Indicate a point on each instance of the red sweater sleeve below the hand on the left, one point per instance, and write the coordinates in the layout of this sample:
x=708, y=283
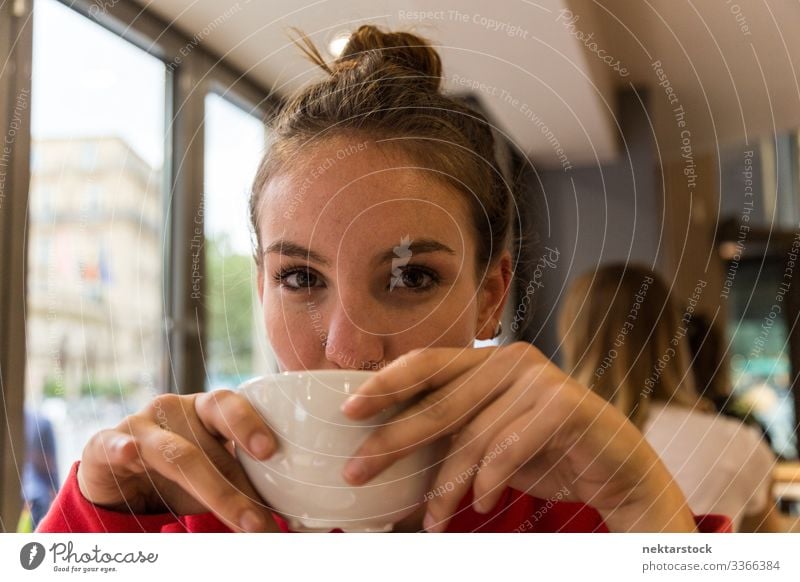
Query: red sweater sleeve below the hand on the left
x=72, y=512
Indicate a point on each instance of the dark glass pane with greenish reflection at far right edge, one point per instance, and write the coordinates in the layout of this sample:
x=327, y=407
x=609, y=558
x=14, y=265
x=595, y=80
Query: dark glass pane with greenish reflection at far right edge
x=760, y=367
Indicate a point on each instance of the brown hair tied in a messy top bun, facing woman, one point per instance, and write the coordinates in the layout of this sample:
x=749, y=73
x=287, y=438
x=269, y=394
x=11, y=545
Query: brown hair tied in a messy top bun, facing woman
x=386, y=86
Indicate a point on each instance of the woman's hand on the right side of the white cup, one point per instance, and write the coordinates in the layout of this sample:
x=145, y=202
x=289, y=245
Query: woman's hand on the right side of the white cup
x=517, y=421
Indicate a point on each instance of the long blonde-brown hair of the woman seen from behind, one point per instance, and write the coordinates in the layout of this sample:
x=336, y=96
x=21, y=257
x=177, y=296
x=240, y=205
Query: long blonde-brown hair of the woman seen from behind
x=624, y=339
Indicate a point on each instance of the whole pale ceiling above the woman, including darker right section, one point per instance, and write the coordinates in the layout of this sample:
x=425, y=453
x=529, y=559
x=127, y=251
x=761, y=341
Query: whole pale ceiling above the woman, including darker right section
x=540, y=71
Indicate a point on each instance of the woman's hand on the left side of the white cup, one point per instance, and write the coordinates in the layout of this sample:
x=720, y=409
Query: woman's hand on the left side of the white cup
x=176, y=455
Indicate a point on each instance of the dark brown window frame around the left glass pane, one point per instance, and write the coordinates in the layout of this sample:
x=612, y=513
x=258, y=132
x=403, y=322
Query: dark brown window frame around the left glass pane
x=189, y=78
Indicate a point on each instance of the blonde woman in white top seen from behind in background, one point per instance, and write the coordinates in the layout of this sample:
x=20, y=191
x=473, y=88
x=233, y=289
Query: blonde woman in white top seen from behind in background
x=623, y=338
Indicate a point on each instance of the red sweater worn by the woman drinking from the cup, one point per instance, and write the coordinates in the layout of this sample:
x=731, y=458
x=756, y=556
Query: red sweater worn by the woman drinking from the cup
x=515, y=512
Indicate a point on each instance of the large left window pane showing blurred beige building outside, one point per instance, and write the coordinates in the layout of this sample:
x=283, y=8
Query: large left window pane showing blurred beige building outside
x=94, y=319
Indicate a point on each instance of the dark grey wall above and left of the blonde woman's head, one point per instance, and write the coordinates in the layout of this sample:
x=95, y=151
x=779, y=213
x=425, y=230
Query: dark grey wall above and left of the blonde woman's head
x=588, y=216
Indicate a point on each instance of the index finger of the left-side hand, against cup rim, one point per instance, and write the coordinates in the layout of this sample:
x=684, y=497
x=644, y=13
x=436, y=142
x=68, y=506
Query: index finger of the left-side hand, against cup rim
x=229, y=415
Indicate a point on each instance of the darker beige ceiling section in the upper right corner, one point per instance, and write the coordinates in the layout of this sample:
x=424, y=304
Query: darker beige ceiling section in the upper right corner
x=734, y=64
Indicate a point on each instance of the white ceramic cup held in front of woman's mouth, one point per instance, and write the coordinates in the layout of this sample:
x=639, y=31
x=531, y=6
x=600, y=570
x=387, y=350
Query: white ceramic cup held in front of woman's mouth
x=303, y=480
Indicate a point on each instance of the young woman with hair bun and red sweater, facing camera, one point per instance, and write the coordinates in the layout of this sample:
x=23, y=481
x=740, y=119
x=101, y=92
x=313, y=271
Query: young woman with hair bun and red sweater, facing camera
x=382, y=225
